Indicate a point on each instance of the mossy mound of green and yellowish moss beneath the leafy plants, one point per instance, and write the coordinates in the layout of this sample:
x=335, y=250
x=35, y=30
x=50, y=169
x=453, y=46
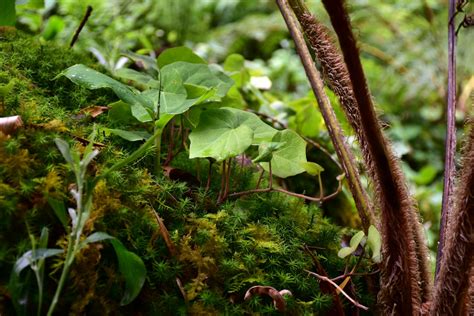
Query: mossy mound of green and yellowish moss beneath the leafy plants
x=220, y=250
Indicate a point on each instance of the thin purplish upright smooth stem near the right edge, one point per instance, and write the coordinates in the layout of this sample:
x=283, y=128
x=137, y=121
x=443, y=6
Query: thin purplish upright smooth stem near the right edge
x=450, y=145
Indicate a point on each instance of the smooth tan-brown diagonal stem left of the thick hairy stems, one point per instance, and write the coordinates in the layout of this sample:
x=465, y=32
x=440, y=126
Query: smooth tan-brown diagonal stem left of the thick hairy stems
x=363, y=205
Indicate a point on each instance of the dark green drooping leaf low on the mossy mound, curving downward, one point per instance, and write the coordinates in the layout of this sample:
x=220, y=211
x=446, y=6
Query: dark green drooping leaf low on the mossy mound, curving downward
x=133, y=270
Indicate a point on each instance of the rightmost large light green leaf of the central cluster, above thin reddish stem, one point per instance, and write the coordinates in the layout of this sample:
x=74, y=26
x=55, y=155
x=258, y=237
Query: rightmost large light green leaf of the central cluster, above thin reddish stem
x=287, y=161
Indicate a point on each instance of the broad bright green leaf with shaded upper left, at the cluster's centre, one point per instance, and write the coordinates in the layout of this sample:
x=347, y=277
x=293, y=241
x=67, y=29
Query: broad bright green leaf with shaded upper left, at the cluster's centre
x=220, y=134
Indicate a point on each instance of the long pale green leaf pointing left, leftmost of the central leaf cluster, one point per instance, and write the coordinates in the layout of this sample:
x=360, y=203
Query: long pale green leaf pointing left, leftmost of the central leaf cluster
x=92, y=79
